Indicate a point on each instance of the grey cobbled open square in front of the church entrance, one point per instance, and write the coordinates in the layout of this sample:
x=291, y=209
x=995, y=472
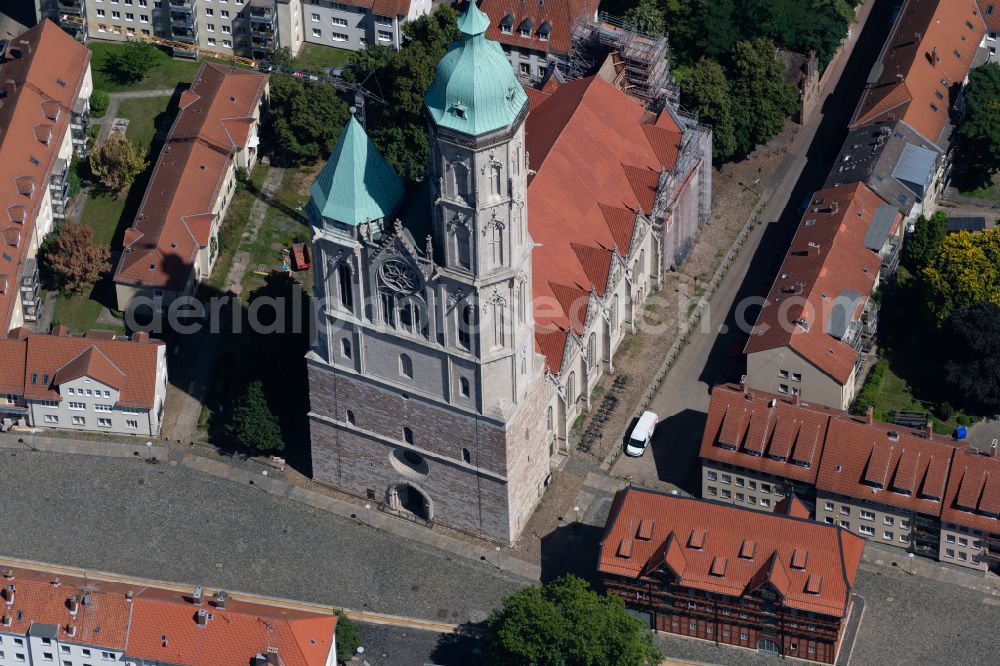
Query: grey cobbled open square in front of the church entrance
x=171, y=523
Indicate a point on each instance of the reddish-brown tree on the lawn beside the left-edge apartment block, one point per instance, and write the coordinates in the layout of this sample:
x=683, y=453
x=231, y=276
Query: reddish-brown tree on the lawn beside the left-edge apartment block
x=73, y=260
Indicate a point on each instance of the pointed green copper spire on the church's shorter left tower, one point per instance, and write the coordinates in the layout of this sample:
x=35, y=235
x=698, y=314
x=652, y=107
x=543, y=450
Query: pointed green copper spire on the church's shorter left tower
x=356, y=184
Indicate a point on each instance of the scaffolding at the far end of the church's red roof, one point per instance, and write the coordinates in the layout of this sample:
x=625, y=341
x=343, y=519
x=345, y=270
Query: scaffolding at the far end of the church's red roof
x=643, y=57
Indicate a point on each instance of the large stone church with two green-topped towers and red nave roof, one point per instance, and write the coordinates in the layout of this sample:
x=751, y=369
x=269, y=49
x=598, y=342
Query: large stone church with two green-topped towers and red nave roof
x=462, y=324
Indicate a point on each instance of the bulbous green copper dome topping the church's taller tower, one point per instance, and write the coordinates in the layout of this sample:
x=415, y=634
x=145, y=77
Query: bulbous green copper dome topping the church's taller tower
x=475, y=90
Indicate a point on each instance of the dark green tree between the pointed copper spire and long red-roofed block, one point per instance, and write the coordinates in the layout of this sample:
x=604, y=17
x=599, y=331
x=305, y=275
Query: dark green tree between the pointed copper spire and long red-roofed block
x=304, y=119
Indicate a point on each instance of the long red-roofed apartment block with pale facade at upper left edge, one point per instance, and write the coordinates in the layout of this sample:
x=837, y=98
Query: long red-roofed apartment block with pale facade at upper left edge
x=45, y=87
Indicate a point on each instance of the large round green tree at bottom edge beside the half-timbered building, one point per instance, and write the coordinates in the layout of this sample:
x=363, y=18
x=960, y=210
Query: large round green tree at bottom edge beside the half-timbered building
x=565, y=623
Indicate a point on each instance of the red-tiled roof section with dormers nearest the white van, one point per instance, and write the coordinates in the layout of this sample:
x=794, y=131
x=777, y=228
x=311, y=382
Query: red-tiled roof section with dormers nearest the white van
x=785, y=439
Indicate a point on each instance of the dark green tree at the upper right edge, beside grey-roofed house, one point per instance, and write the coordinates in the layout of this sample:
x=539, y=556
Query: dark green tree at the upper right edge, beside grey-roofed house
x=980, y=131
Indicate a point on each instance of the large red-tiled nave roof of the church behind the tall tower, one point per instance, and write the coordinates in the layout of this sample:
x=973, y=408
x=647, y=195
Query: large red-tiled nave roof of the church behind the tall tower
x=578, y=216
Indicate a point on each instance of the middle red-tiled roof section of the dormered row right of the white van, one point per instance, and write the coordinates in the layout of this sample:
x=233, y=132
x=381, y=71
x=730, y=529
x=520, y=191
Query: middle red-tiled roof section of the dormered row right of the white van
x=886, y=463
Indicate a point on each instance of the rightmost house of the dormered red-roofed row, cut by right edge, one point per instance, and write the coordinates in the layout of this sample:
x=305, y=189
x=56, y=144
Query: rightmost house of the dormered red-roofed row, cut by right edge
x=970, y=516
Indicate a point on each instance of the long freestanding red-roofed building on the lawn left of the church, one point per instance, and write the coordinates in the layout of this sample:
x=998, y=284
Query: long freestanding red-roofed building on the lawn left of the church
x=173, y=242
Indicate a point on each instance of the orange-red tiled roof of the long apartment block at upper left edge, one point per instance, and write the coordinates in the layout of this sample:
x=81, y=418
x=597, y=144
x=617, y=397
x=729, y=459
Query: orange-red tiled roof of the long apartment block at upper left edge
x=41, y=88
